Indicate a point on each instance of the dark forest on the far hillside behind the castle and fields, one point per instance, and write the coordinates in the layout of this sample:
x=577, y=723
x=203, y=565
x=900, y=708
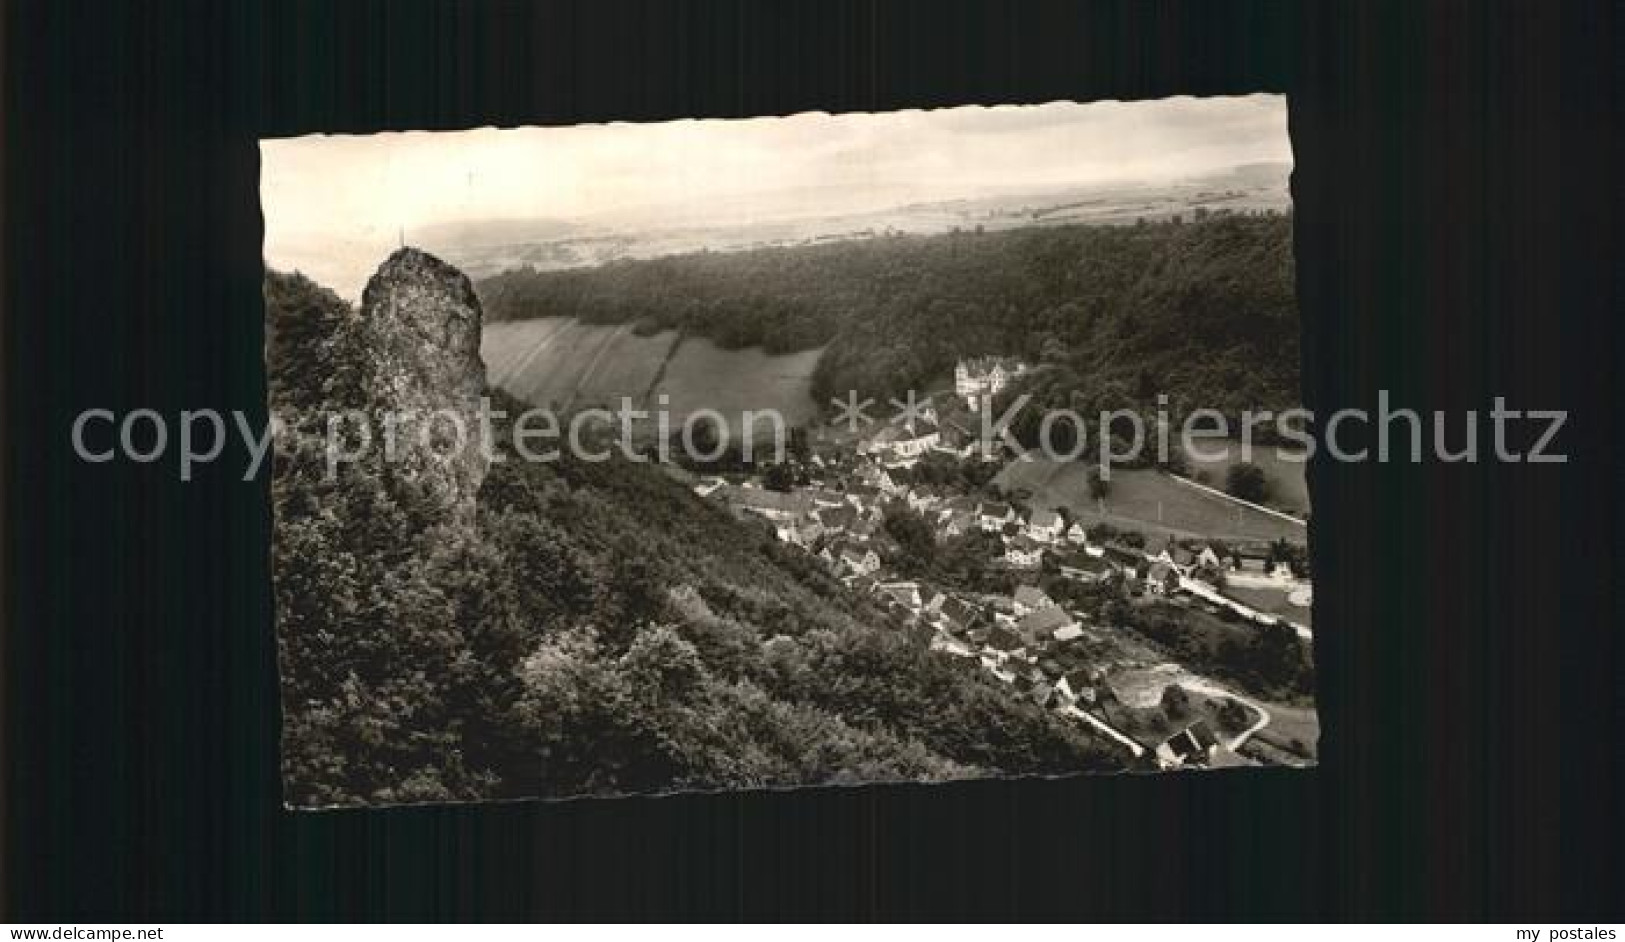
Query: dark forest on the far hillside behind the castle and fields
x=1202, y=311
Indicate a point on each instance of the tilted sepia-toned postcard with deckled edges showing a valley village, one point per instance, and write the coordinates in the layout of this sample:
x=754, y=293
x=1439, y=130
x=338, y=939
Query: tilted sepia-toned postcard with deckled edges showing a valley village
x=787, y=452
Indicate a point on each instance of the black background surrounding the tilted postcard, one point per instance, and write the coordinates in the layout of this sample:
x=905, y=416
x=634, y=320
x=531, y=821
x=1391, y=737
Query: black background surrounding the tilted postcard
x=1457, y=240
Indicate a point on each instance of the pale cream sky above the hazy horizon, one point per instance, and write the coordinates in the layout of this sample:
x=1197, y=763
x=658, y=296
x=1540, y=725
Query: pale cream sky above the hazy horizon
x=357, y=194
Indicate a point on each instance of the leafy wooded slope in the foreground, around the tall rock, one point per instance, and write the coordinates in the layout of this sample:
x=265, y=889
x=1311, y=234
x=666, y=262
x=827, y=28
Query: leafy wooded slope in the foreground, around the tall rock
x=583, y=629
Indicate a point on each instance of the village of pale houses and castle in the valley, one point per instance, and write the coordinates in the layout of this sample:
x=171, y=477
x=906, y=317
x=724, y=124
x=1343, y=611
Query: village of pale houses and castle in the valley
x=1055, y=644
